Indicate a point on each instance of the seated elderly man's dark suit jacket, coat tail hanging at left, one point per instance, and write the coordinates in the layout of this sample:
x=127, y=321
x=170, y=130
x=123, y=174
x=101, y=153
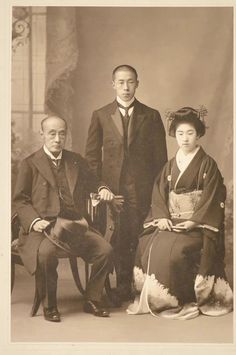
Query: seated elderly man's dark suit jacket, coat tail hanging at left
x=36, y=195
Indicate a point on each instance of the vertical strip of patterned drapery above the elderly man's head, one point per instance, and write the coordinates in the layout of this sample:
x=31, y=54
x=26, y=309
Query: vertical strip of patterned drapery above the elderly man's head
x=61, y=61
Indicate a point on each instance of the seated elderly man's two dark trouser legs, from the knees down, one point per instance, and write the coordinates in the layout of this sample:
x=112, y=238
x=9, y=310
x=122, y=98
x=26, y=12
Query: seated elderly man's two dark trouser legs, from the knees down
x=92, y=248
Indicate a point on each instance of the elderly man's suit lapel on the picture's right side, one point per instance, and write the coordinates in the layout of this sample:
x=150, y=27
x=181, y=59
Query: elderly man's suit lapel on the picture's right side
x=71, y=169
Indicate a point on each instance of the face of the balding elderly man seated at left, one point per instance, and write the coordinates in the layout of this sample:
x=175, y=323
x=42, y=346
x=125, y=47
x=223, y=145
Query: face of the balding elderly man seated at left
x=54, y=134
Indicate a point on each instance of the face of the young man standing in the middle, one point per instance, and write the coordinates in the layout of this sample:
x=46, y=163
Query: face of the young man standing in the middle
x=125, y=84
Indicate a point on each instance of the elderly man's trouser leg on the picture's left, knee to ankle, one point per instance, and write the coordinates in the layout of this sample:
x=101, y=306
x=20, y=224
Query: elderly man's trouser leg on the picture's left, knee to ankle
x=46, y=273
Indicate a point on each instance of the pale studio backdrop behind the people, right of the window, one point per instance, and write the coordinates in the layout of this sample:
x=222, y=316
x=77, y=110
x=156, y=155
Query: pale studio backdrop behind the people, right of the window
x=183, y=56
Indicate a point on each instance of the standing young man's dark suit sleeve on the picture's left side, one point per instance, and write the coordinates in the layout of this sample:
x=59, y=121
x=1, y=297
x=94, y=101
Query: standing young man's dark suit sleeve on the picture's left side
x=93, y=151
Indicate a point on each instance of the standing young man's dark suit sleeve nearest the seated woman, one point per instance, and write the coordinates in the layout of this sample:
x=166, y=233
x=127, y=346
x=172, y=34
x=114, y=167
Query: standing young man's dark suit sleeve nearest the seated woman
x=159, y=149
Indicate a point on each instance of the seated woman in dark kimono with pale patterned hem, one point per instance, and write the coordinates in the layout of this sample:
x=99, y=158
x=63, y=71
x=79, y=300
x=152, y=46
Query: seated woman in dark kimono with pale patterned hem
x=179, y=268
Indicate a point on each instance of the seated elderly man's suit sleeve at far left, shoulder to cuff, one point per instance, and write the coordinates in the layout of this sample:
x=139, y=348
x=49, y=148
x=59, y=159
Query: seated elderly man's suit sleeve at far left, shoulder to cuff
x=22, y=203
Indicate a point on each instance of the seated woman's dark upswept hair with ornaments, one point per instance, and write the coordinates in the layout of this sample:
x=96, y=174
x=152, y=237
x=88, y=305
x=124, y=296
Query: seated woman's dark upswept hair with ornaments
x=187, y=115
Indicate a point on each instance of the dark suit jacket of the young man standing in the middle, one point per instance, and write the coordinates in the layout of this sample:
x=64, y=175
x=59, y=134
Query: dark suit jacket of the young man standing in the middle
x=147, y=148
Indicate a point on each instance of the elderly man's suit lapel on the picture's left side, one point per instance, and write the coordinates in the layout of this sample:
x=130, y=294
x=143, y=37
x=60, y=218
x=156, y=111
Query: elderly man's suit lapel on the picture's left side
x=41, y=162
